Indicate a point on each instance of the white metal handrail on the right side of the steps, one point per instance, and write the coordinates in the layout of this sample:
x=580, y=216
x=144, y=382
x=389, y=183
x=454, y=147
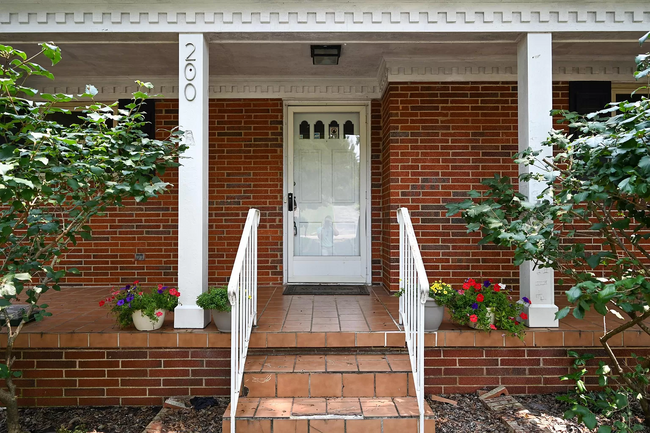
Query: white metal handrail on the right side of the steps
x=414, y=288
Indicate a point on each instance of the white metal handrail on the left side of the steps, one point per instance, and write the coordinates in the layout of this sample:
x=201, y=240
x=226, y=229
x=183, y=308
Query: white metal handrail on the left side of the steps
x=242, y=293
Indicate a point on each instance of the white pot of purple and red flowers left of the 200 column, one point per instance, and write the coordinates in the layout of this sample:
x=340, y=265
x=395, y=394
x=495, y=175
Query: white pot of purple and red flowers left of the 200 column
x=144, y=309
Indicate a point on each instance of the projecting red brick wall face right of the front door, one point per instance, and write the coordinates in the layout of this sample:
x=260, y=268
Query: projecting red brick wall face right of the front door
x=439, y=141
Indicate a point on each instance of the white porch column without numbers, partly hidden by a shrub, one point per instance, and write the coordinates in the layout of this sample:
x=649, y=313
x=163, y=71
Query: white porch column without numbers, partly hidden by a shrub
x=535, y=87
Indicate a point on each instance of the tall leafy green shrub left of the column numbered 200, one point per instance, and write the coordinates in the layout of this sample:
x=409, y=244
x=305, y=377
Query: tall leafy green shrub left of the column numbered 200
x=55, y=178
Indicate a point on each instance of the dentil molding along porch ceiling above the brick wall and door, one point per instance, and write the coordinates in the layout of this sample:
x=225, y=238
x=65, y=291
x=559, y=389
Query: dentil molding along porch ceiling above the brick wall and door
x=308, y=88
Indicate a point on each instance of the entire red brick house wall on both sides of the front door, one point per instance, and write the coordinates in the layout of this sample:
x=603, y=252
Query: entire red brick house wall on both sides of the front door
x=430, y=143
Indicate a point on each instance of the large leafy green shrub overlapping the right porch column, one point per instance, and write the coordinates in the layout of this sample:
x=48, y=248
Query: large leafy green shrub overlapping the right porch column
x=597, y=187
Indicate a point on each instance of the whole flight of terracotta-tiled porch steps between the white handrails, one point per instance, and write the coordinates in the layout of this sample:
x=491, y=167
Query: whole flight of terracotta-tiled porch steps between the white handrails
x=333, y=393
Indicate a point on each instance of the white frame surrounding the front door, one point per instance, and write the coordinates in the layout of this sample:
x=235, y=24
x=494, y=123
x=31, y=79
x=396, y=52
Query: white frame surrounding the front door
x=365, y=181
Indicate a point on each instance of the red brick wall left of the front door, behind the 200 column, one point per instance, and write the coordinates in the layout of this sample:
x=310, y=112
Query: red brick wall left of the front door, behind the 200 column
x=245, y=171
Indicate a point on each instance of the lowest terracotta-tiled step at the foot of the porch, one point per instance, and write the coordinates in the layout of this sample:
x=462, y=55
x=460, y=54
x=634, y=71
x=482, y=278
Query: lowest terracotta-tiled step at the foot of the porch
x=332, y=415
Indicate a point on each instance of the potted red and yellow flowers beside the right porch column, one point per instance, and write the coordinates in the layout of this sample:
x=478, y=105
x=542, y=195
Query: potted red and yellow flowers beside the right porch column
x=487, y=306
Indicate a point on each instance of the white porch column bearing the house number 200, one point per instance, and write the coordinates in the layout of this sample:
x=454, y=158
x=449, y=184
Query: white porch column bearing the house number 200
x=193, y=181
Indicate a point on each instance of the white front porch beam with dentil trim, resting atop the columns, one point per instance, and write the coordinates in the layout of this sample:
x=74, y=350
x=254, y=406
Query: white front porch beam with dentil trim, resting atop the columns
x=73, y=16
